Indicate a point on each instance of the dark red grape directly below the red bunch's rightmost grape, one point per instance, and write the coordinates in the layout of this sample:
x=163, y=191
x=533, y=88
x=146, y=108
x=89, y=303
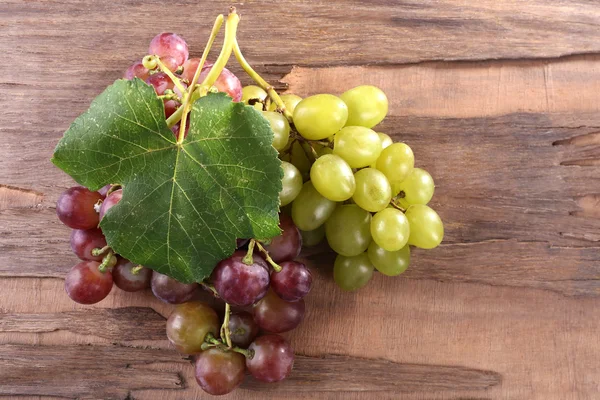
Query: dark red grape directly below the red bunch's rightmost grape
x=276, y=315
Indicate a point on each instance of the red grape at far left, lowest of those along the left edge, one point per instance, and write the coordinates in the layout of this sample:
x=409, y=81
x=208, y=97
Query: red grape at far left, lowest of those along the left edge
x=85, y=284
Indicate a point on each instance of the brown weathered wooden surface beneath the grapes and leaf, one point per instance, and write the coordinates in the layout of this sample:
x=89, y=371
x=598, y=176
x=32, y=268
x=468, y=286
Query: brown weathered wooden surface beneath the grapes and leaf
x=499, y=99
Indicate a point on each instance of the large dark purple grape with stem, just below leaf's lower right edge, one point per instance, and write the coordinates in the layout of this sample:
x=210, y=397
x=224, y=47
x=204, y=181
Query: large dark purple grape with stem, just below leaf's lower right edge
x=240, y=284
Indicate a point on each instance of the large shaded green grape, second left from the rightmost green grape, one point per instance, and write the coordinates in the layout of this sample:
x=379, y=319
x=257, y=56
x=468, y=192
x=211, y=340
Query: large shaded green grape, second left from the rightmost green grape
x=348, y=230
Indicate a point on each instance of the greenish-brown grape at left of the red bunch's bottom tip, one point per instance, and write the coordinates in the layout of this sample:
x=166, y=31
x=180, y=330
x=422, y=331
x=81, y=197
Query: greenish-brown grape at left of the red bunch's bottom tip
x=189, y=323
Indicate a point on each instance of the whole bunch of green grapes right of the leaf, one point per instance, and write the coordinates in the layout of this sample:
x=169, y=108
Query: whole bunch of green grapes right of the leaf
x=349, y=184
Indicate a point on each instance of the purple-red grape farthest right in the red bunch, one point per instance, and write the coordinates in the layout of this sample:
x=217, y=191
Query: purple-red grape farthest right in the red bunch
x=293, y=282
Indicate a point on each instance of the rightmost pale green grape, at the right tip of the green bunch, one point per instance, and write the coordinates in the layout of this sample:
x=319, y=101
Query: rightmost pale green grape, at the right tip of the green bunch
x=426, y=227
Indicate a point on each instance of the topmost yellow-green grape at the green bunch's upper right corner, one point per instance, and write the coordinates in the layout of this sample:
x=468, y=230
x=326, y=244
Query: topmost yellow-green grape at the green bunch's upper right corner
x=367, y=106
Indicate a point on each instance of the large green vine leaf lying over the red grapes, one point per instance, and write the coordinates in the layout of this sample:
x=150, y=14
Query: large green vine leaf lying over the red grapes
x=183, y=204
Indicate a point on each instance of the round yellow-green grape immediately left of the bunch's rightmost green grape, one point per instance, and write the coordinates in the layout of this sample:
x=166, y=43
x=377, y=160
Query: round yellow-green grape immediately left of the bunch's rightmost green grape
x=390, y=229
